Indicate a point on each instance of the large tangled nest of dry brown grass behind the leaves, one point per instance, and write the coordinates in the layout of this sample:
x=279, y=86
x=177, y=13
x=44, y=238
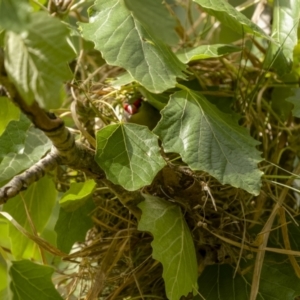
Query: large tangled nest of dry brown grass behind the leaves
x=227, y=224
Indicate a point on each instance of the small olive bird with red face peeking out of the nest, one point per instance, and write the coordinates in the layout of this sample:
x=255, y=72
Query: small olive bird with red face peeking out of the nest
x=141, y=112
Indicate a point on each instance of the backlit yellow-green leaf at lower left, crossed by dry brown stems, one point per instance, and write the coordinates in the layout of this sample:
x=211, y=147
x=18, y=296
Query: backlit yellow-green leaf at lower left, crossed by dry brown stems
x=40, y=200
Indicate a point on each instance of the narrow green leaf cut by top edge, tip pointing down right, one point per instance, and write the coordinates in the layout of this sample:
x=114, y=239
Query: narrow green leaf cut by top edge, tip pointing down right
x=230, y=17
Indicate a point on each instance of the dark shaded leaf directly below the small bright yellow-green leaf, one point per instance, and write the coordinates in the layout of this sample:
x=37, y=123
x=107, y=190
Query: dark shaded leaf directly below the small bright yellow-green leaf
x=72, y=226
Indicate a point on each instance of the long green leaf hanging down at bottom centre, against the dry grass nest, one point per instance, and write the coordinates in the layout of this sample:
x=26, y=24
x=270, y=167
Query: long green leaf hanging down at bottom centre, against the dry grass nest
x=172, y=245
